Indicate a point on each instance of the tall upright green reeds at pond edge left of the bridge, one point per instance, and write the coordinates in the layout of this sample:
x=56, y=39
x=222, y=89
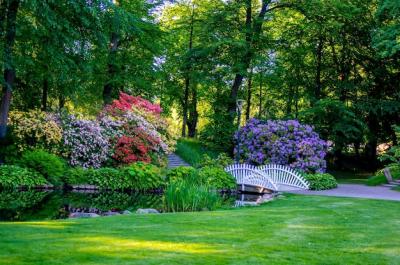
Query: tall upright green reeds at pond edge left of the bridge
x=187, y=196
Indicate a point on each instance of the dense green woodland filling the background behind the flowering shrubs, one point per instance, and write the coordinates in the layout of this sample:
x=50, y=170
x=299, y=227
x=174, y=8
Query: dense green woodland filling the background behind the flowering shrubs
x=333, y=64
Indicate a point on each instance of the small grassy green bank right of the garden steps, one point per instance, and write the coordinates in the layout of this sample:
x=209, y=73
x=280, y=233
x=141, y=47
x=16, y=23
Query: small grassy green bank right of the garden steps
x=192, y=151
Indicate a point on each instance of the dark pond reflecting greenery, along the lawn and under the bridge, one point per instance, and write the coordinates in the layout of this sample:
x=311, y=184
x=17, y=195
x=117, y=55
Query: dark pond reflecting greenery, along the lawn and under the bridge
x=16, y=205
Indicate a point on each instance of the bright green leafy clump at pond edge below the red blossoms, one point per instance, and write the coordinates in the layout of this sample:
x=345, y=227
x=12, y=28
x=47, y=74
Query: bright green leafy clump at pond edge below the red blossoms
x=143, y=176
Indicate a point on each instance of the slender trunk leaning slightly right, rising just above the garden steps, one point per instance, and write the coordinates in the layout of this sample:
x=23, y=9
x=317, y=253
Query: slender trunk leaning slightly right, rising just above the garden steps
x=187, y=78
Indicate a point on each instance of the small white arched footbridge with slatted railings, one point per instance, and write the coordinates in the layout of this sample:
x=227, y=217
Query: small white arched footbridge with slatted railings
x=271, y=177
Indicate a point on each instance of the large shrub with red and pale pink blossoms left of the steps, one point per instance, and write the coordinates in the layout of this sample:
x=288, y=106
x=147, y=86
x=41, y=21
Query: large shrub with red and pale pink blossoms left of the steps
x=139, y=131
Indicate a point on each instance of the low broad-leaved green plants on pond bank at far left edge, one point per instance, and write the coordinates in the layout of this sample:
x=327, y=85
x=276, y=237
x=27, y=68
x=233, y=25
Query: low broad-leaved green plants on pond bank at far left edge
x=15, y=176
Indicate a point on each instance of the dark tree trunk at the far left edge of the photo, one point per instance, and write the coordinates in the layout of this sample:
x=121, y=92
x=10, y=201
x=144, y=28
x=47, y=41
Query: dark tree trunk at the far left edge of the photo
x=9, y=71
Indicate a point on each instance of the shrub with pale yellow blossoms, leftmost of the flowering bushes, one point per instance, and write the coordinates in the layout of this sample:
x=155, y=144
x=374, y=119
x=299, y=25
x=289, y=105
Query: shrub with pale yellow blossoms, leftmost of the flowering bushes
x=35, y=129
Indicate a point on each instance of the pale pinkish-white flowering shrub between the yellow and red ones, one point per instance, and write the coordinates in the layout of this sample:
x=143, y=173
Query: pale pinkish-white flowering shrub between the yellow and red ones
x=85, y=144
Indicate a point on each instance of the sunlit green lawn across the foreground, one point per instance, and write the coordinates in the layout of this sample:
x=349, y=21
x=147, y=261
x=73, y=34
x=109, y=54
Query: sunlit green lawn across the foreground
x=290, y=230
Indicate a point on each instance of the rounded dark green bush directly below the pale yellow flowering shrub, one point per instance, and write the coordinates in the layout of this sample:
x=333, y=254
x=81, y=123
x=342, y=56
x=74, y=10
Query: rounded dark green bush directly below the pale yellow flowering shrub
x=50, y=166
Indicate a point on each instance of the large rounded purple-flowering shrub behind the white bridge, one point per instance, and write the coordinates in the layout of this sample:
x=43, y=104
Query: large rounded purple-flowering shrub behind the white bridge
x=282, y=142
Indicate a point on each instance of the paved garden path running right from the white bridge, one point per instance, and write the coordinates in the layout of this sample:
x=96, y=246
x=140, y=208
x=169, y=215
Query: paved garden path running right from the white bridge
x=356, y=191
